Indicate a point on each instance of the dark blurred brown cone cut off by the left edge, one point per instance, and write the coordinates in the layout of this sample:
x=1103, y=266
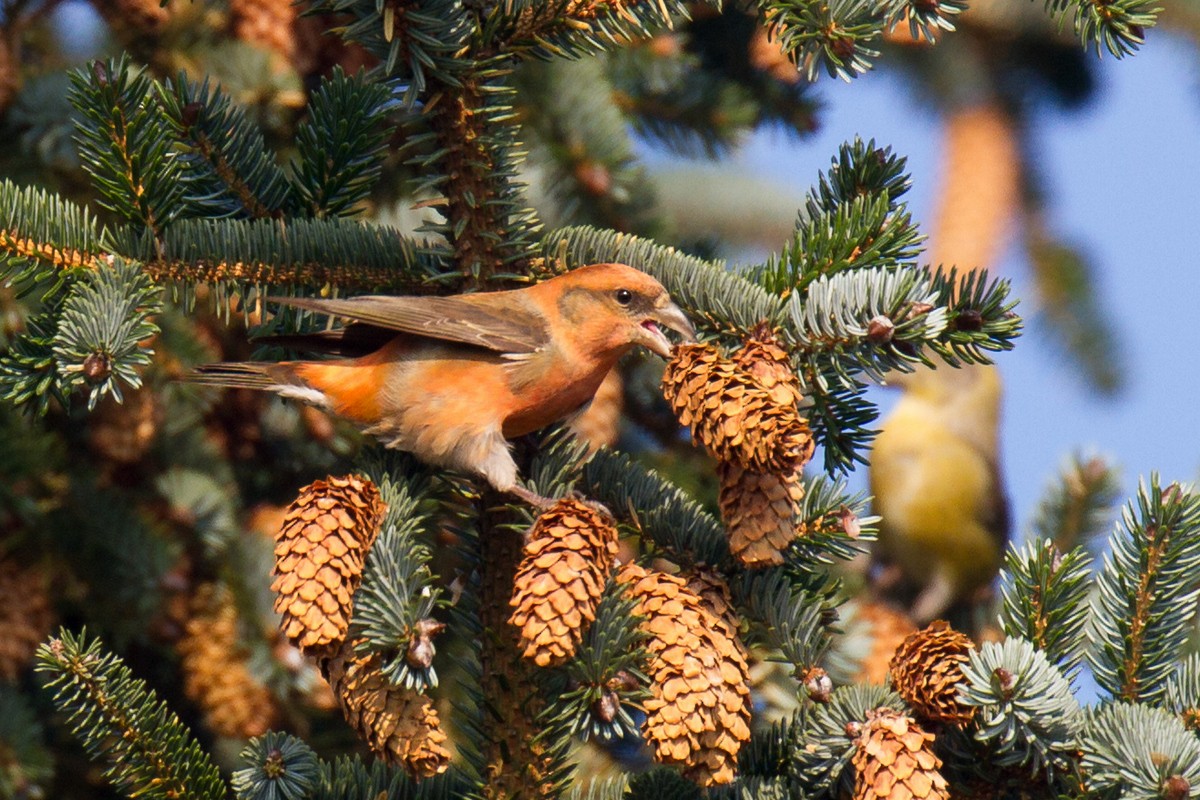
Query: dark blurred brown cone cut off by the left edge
x=26, y=616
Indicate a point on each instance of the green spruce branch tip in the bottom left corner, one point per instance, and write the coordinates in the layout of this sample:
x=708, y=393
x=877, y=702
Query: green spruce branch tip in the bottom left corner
x=118, y=720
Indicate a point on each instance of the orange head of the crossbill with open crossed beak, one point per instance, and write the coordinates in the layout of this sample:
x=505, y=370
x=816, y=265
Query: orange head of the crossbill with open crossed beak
x=619, y=306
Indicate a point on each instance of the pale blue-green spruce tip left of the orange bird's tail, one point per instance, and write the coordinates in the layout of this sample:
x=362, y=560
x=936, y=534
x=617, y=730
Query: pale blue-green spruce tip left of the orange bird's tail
x=103, y=330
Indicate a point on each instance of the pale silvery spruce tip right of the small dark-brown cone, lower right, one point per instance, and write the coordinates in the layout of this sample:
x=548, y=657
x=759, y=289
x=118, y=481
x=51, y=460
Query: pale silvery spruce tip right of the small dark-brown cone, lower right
x=1027, y=711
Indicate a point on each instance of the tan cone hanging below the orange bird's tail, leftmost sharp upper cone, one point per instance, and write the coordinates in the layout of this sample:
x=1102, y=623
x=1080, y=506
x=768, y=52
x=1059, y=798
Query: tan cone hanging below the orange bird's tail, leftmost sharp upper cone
x=320, y=554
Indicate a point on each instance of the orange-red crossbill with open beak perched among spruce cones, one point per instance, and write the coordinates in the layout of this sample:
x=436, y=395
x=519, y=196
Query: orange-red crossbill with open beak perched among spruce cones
x=451, y=380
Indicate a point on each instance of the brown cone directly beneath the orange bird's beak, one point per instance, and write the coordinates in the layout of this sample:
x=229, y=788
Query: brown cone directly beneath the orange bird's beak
x=735, y=417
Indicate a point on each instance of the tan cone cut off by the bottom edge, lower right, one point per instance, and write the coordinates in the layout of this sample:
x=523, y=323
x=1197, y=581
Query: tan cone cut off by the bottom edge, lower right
x=895, y=761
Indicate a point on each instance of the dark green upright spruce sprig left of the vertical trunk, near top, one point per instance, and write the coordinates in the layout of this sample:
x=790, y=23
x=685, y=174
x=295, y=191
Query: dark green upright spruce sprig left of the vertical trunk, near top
x=341, y=145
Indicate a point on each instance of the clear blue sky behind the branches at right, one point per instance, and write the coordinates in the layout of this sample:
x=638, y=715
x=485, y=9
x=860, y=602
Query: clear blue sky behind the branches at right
x=1123, y=177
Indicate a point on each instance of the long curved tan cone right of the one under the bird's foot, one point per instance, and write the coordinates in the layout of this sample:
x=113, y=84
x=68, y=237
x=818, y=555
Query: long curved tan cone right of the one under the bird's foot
x=699, y=714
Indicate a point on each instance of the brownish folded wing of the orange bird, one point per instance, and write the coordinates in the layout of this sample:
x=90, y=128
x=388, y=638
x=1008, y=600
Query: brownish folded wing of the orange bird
x=503, y=328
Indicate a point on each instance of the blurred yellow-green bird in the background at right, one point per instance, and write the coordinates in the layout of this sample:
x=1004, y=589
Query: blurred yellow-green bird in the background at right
x=938, y=486
